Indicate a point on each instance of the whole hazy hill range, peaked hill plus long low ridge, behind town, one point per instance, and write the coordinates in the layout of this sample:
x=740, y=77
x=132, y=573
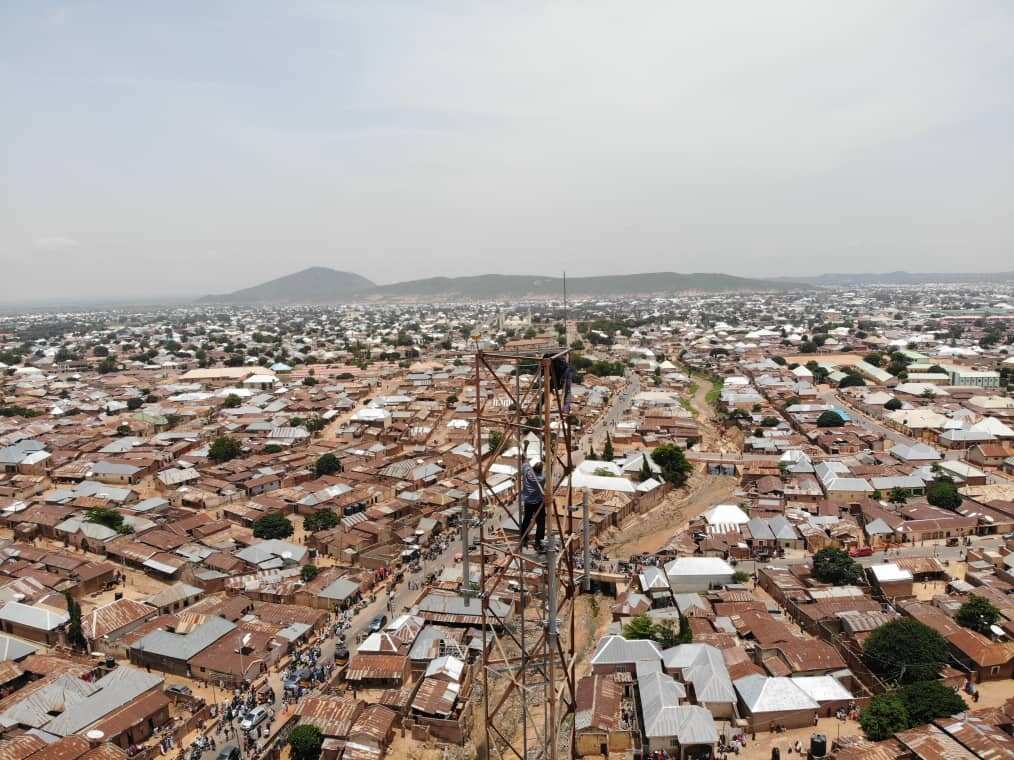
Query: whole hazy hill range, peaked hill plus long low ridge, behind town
x=323, y=285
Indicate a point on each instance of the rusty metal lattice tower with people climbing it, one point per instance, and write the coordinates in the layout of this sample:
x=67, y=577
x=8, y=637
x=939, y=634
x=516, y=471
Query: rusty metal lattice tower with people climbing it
x=529, y=661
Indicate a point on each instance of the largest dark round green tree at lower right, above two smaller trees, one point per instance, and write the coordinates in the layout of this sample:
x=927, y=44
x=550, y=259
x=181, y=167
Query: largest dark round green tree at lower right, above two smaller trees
x=906, y=651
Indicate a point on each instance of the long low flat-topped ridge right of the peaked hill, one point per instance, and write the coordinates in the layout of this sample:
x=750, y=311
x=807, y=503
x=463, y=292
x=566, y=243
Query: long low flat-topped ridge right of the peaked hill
x=493, y=286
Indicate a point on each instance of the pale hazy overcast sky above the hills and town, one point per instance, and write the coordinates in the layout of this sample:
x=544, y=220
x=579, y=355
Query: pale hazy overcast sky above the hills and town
x=193, y=147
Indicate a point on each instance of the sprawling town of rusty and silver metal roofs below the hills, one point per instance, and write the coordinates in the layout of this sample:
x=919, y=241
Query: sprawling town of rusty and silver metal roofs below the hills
x=747, y=518
